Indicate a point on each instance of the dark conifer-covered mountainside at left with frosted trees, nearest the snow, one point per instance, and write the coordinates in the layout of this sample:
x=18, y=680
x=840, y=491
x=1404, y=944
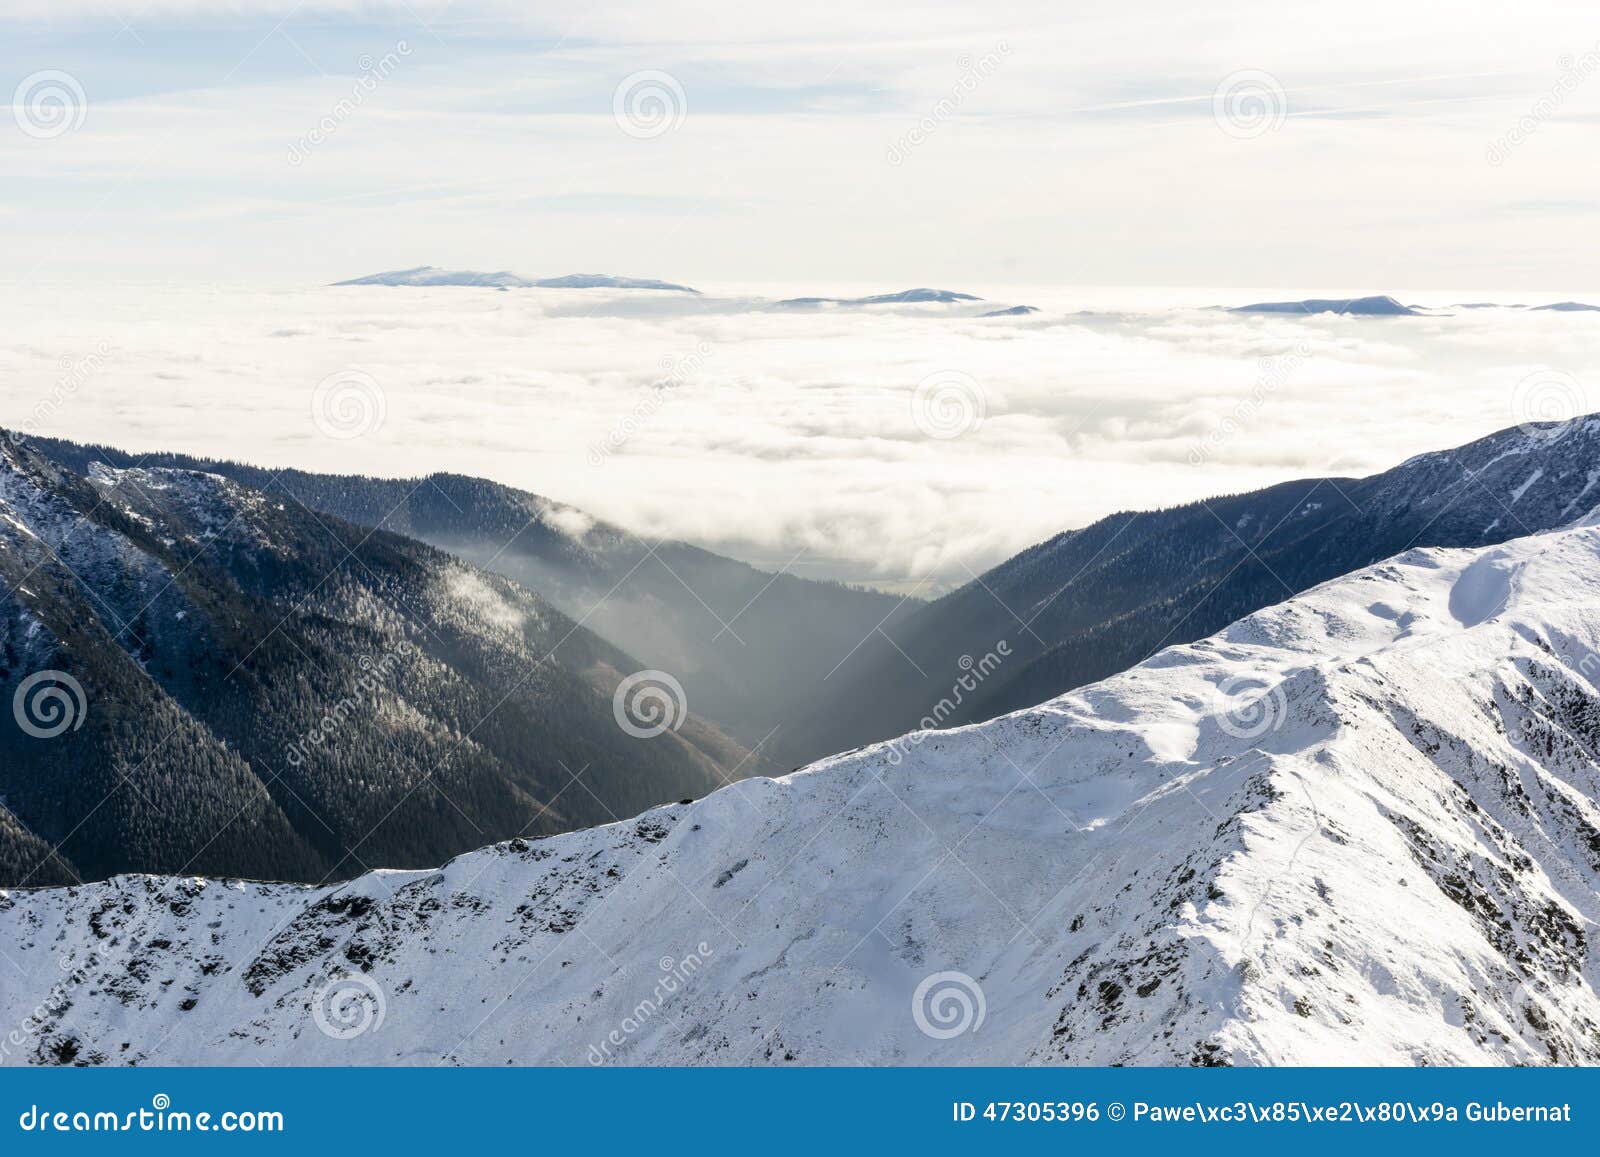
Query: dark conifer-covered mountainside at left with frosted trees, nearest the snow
x=196, y=676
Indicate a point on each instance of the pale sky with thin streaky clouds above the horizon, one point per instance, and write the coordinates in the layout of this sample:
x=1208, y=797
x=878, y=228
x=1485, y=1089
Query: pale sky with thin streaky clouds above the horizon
x=289, y=145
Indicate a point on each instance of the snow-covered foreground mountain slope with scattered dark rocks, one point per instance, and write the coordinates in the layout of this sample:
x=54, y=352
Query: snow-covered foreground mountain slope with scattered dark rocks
x=1359, y=827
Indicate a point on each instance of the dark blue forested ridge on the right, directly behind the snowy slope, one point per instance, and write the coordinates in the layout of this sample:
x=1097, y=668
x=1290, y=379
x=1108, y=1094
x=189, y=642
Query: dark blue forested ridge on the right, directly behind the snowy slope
x=1097, y=601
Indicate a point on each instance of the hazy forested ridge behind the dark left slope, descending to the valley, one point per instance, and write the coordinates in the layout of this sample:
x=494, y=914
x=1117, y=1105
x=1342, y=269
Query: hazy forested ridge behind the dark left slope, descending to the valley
x=742, y=641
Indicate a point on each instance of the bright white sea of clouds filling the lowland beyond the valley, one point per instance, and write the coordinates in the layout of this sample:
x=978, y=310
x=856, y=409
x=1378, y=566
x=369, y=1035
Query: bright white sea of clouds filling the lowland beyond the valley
x=908, y=447
